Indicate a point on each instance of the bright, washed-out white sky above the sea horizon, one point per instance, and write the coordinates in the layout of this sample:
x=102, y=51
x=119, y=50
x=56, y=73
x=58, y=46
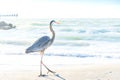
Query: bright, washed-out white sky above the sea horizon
x=62, y=8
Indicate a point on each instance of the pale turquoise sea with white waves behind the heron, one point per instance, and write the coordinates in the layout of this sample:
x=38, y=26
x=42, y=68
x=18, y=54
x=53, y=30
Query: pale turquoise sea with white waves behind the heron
x=74, y=37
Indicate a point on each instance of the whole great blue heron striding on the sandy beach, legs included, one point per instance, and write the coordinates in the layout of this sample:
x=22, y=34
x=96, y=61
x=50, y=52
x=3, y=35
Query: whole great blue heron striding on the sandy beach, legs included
x=41, y=45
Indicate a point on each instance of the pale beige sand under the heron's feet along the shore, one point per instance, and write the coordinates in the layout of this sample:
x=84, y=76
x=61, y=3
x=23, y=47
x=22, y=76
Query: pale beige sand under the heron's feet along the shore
x=73, y=72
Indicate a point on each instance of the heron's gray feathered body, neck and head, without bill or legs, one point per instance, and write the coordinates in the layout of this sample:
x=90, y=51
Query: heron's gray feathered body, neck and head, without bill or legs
x=42, y=43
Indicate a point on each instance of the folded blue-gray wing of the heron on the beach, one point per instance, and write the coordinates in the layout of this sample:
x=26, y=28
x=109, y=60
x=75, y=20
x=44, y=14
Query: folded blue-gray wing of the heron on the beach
x=41, y=44
